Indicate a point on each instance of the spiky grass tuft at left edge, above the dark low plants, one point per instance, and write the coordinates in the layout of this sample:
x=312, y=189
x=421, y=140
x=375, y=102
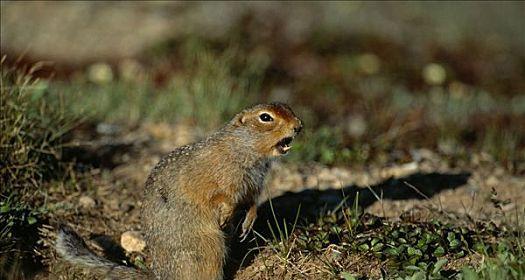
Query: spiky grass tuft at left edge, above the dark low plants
x=32, y=131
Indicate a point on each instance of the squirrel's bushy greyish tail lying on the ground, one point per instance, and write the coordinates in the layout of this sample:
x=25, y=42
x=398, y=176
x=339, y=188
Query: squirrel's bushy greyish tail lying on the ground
x=73, y=249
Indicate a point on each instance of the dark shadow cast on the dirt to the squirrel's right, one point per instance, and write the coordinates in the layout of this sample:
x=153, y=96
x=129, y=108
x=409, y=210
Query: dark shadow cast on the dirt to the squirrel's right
x=314, y=203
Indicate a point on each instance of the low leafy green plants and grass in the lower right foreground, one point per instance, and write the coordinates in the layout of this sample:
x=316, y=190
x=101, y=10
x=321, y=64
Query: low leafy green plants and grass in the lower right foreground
x=401, y=249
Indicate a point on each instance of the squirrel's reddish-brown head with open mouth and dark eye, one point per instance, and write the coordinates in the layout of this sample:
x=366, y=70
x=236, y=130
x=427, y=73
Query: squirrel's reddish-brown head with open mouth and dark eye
x=271, y=127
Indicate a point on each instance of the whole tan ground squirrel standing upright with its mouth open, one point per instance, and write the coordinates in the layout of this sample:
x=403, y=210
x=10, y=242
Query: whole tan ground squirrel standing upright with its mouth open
x=193, y=192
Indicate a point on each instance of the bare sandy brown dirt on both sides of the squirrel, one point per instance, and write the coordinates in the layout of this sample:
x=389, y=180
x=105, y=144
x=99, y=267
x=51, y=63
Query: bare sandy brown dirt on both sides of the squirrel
x=107, y=203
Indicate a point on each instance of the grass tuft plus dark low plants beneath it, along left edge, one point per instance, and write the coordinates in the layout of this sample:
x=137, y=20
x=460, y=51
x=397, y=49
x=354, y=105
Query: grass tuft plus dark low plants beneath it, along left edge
x=33, y=133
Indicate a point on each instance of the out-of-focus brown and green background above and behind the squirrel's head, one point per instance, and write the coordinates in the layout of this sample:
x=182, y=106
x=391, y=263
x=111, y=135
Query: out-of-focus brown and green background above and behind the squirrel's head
x=369, y=78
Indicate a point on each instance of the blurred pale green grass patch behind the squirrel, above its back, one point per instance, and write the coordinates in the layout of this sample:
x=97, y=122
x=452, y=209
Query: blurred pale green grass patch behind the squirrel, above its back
x=211, y=90
